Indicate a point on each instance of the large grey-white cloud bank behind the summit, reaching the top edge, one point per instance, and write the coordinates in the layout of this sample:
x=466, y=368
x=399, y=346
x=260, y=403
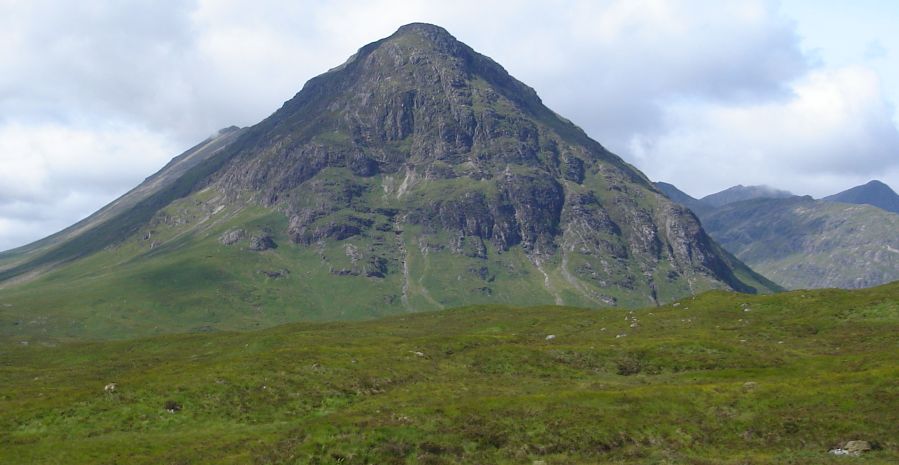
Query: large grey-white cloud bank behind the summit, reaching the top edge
x=192, y=68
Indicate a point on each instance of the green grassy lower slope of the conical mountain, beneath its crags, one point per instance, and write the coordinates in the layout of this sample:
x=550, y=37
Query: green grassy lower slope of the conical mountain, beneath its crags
x=175, y=275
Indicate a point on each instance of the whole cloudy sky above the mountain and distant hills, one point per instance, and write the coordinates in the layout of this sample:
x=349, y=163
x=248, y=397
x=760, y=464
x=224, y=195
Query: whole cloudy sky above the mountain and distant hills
x=800, y=95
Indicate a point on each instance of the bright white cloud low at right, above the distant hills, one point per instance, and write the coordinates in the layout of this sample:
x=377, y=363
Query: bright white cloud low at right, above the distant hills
x=837, y=127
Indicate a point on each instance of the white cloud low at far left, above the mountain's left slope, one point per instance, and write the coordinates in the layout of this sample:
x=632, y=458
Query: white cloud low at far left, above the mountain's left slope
x=52, y=175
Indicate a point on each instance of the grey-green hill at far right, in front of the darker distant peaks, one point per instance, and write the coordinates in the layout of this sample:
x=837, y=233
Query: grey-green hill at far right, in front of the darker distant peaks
x=799, y=242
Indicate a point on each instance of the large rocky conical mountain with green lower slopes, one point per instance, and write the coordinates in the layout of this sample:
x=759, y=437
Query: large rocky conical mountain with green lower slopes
x=417, y=175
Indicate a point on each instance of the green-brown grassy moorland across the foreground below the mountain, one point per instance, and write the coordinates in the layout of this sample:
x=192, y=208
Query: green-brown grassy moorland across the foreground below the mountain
x=719, y=379
